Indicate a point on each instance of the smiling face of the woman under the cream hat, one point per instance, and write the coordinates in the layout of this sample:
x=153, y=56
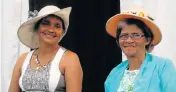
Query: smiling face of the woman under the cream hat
x=50, y=30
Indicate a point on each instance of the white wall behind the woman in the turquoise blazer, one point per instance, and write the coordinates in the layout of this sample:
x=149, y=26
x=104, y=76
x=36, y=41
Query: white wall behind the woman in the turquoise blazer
x=164, y=15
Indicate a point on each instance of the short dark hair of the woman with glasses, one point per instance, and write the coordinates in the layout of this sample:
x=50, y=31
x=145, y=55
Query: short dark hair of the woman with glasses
x=140, y=24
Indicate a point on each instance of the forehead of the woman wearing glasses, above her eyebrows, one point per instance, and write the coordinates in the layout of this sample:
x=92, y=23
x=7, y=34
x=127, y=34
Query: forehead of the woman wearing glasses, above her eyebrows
x=132, y=28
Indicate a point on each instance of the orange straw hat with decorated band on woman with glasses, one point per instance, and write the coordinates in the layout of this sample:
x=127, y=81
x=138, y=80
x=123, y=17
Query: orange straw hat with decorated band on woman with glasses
x=135, y=12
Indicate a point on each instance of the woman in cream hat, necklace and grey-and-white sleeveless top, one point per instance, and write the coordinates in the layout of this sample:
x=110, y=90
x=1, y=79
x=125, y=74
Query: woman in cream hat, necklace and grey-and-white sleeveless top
x=49, y=67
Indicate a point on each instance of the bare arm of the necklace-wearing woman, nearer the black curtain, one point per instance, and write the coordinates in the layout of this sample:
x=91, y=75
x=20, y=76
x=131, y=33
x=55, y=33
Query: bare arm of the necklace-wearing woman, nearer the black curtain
x=73, y=72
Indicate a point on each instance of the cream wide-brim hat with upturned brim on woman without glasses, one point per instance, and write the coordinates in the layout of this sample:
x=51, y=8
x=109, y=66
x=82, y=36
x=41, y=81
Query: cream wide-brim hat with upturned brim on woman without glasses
x=26, y=33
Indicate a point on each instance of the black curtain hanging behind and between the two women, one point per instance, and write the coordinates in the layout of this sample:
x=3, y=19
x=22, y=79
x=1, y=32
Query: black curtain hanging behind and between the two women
x=87, y=37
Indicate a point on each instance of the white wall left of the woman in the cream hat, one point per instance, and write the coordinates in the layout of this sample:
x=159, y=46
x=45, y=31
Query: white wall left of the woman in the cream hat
x=13, y=13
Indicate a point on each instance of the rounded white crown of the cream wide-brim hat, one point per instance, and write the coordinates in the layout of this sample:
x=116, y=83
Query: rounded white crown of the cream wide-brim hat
x=48, y=10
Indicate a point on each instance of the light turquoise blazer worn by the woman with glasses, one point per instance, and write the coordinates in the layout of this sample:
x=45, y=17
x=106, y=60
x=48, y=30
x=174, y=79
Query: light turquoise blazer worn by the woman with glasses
x=156, y=75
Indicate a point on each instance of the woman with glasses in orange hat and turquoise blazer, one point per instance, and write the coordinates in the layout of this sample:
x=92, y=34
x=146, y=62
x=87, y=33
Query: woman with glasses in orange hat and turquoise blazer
x=137, y=34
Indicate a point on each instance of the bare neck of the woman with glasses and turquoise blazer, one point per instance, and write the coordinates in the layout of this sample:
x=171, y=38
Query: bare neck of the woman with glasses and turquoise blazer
x=135, y=62
